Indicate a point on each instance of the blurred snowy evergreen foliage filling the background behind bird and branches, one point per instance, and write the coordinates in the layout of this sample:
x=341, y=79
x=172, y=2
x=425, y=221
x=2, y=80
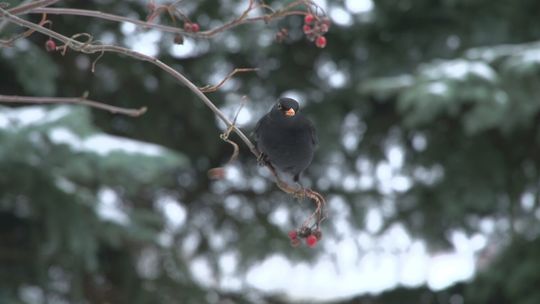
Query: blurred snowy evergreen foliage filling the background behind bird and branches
x=450, y=86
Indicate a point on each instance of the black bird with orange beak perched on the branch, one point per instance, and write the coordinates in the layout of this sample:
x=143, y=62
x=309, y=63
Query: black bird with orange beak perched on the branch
x=286, y=138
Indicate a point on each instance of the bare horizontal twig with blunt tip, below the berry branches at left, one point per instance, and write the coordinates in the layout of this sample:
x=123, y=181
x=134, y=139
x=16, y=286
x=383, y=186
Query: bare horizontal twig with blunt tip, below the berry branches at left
x=72, y=100
